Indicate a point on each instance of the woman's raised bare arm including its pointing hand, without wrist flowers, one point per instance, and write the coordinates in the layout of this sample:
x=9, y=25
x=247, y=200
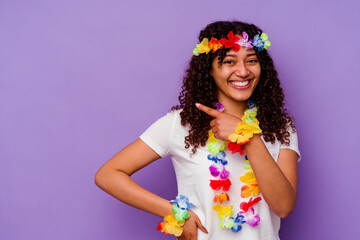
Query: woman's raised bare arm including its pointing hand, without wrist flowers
x=277, y=180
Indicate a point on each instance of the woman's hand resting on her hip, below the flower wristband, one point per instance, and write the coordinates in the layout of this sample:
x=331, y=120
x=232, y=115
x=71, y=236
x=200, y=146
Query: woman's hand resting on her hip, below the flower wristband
x=190, y=227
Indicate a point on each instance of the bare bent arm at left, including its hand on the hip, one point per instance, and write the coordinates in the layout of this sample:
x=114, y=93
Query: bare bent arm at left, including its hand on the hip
x=114, y=178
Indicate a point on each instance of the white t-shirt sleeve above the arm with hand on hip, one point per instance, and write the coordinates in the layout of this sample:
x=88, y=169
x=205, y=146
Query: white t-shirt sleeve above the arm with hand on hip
x=157, y=136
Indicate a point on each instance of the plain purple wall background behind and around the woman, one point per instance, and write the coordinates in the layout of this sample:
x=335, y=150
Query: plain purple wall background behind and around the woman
x=80, y=79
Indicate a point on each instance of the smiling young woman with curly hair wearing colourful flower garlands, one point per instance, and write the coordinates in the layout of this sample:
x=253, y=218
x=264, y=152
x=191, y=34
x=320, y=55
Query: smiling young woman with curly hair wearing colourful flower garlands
x=233, y=146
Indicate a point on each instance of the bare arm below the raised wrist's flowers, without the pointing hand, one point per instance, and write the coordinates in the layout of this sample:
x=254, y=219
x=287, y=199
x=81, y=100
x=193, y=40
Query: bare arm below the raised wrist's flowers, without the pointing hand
x=277, y=180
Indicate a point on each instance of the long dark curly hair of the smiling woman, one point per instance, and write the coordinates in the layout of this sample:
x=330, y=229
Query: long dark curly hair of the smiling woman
x=199, y=86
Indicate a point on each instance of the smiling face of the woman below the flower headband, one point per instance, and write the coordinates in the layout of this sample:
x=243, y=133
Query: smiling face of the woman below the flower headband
x=237, y=75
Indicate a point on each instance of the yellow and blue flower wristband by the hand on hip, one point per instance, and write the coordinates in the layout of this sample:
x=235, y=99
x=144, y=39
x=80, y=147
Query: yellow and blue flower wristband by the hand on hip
x=173, y=223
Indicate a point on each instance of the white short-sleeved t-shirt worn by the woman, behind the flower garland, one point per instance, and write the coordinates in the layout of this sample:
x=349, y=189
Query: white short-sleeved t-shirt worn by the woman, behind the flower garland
x=166, y=137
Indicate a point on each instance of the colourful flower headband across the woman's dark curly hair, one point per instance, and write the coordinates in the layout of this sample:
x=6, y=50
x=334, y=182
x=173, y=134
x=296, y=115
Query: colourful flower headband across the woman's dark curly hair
x=233, y=42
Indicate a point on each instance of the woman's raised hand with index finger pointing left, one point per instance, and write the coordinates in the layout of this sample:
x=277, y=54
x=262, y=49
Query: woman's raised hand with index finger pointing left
x=223, y=124
